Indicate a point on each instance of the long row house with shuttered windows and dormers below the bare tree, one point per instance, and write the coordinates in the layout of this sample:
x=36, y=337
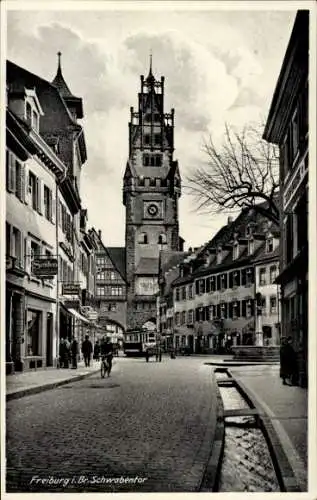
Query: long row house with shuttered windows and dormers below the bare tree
x=217, y=298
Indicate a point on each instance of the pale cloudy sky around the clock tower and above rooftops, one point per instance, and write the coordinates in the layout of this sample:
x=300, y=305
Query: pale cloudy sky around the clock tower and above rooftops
x=219, y=67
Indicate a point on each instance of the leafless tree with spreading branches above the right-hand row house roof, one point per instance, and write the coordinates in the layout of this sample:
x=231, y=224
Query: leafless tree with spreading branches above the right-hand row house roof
x=243, y=172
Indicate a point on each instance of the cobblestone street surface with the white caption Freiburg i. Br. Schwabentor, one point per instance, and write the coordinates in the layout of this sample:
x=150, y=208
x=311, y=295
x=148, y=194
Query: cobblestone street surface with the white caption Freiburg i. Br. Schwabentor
x=151, y=422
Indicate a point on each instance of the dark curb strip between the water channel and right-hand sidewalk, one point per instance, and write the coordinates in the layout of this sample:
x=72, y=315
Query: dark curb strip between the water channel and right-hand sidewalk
x=283, y=469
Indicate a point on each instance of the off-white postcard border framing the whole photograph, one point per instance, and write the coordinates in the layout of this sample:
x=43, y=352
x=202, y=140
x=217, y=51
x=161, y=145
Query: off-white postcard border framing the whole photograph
x=75, y=5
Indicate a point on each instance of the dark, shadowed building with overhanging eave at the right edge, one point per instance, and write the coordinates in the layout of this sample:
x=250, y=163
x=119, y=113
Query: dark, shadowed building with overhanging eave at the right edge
x=287, y=127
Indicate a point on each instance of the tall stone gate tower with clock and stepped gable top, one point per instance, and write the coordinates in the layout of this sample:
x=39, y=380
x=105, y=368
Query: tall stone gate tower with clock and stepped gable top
x=151, y=189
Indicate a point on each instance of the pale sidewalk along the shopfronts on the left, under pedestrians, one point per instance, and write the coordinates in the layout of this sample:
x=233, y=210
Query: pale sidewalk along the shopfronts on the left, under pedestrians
x=23, y=384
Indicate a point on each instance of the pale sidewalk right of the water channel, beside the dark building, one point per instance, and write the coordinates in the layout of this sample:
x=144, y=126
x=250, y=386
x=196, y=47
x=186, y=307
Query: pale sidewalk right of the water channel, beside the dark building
x=286, y=410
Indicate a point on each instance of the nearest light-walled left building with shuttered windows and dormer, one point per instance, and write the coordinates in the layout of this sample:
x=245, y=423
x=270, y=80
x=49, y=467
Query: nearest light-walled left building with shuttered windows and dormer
x=32, y=172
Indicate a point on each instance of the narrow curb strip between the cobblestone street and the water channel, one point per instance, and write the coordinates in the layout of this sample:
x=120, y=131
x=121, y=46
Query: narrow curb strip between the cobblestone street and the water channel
x=210, y=478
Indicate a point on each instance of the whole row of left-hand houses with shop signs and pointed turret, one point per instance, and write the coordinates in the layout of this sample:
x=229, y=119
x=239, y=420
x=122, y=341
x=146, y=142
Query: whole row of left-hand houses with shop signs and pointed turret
x=45, y=151
